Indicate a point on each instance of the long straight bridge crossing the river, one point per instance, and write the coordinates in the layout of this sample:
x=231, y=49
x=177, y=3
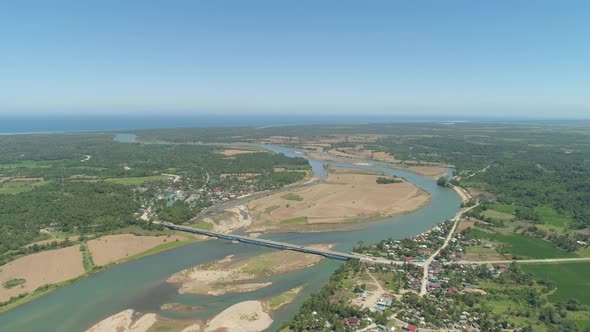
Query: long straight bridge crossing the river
x=279, y=245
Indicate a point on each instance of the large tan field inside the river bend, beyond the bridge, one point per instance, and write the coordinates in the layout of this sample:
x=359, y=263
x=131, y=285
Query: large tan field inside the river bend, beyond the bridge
x=347, y=195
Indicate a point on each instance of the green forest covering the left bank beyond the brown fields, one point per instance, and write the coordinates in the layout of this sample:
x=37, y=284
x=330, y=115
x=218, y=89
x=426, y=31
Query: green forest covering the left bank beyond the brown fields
x=84, y=183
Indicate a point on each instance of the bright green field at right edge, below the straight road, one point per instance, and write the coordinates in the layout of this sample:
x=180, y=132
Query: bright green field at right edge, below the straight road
x=571, y=279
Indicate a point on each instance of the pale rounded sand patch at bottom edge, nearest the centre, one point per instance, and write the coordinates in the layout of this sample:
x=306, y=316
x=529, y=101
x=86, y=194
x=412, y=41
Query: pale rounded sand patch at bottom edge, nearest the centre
x=243, y=316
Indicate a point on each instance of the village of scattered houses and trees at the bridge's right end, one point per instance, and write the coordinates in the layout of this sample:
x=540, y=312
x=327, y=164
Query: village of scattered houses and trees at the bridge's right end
x=390, y=297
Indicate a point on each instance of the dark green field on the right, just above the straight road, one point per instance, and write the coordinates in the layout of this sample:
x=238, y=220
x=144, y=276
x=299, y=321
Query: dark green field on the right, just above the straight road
x=524, y=246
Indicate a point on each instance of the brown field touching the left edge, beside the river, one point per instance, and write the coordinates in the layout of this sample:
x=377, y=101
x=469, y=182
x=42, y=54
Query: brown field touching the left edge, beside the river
x=48, y=267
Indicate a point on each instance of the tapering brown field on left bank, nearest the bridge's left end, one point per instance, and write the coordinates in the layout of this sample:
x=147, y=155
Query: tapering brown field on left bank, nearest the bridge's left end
x=111, y=248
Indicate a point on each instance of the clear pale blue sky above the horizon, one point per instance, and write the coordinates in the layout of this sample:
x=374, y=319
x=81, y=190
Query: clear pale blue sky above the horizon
x=526, y=58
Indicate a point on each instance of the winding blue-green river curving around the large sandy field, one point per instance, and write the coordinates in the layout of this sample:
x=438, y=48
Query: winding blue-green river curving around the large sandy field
x=140, y=284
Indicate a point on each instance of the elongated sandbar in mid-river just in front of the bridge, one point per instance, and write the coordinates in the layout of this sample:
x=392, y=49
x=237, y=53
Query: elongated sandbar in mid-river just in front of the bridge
x=233, y=276
